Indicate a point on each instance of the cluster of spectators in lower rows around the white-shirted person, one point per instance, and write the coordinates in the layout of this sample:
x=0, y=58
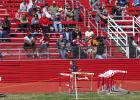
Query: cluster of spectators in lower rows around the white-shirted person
x=72, y=44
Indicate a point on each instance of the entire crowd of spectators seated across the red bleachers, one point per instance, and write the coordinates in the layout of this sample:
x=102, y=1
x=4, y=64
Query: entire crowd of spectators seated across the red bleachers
x=33, y=18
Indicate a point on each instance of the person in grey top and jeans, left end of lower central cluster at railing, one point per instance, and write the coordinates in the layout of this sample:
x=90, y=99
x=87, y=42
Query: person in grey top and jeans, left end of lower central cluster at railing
x=61, y=45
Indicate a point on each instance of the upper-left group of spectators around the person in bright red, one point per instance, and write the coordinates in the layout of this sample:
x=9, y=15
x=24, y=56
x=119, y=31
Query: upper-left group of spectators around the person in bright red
x=52, y=14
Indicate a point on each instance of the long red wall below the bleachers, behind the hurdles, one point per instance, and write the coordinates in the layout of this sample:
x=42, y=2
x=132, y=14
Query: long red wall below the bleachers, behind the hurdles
x=48, y=70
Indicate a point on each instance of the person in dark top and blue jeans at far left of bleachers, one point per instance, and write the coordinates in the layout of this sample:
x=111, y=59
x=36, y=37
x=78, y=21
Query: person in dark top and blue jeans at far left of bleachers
x=6, y=28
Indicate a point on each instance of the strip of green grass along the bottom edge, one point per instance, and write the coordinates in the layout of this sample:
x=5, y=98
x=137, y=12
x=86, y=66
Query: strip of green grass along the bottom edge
x=64, y=96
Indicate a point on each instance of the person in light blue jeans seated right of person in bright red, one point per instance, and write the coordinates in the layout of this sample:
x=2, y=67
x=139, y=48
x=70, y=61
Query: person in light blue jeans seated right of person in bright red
x=57, y=22
